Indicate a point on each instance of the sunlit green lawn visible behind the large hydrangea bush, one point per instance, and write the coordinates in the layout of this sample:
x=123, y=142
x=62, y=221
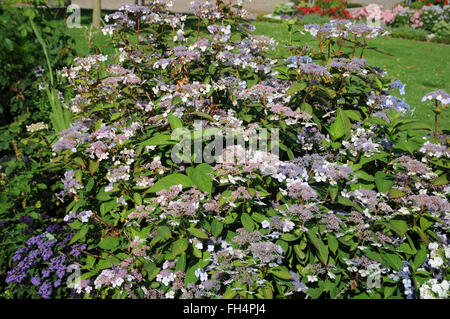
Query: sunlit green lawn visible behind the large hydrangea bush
x=422, y=66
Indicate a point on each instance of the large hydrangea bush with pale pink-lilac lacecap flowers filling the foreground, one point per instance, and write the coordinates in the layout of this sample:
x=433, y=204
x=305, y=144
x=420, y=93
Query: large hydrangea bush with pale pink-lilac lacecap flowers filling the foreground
x=199, y=164
